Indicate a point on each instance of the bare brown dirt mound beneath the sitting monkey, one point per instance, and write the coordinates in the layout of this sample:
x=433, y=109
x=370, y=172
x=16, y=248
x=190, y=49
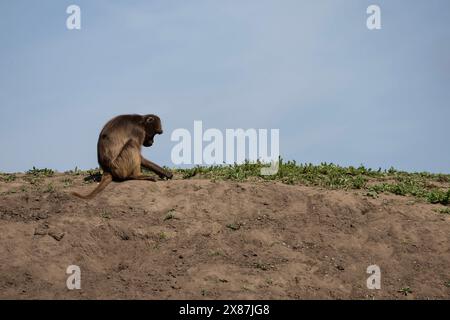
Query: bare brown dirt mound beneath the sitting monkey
x=197, y=238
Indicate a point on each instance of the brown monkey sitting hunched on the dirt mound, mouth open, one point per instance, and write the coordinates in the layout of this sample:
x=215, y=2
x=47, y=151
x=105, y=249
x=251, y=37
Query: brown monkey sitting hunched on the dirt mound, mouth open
x=119, y=150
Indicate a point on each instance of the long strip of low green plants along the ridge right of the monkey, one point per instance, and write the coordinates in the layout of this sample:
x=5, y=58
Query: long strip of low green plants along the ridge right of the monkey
x=433, y=188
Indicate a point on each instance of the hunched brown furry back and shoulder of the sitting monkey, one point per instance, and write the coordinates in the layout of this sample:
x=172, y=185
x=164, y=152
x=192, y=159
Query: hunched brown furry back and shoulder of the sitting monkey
x=115, y=135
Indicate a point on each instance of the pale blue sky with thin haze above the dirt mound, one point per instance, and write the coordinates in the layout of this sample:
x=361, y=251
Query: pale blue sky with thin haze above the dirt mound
x=337, y=91
